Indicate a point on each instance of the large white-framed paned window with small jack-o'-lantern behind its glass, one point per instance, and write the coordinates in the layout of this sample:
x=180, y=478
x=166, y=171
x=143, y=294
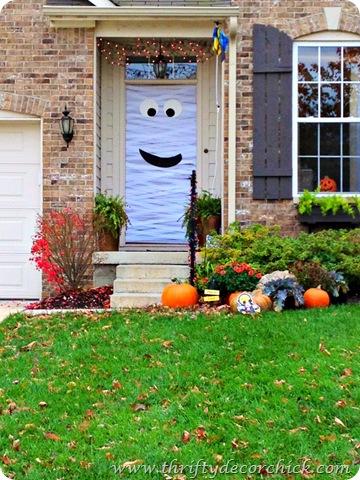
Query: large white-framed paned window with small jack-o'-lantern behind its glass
x=327, y=116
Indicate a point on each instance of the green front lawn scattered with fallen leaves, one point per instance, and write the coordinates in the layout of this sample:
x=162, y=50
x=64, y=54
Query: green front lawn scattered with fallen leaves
x=197, y=396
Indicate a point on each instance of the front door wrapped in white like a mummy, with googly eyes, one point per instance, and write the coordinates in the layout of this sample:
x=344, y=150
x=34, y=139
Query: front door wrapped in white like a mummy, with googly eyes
x=160, y=156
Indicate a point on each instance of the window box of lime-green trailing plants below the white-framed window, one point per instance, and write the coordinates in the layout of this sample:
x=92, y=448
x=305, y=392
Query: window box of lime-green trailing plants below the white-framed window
x=328, y=208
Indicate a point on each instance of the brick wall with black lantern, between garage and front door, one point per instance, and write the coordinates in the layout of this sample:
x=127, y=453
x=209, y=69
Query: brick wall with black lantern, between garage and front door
x=41, y=70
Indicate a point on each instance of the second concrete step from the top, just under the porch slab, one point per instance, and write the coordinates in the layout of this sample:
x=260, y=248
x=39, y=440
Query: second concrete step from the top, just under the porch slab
x=152, y=271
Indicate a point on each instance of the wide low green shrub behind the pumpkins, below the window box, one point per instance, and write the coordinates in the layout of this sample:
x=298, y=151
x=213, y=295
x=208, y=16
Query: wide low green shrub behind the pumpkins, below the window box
x=267, y=250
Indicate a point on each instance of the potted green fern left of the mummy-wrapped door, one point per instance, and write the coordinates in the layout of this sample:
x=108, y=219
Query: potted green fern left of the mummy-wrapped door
x=110, y=218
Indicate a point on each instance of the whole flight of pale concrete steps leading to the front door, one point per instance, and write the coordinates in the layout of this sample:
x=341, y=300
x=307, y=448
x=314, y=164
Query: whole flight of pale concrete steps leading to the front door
x=142, y=276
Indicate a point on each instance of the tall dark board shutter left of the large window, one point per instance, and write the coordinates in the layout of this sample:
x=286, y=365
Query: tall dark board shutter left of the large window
x=272, y=143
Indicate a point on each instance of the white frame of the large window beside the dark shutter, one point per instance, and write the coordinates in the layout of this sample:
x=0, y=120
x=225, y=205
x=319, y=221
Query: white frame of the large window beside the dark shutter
x=316, y=41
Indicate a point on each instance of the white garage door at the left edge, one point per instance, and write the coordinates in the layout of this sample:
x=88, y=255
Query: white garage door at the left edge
x=19, y=205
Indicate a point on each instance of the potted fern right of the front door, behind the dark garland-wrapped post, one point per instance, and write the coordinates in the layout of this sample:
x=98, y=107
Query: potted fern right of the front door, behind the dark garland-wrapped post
x=207, y=216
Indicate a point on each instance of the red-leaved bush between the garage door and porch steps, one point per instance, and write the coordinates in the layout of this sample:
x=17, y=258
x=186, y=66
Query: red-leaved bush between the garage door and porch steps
x=62, y=248
